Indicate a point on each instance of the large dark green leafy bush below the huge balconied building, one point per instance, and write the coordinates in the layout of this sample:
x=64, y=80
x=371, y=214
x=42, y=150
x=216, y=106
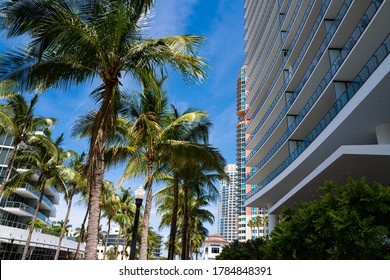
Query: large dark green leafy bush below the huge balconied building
x=350, y=221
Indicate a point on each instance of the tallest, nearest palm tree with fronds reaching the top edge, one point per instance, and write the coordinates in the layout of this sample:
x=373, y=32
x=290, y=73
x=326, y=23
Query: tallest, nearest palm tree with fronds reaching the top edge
x=75, y=41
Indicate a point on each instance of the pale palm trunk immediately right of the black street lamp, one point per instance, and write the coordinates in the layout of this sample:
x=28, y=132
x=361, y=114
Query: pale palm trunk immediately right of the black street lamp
x=143, y=251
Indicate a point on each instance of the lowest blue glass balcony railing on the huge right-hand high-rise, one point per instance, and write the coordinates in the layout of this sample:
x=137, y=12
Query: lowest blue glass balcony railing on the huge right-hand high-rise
x=381, y=53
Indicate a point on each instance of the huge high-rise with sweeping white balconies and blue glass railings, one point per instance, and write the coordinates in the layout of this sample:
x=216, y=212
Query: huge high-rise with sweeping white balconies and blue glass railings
x=317, y=96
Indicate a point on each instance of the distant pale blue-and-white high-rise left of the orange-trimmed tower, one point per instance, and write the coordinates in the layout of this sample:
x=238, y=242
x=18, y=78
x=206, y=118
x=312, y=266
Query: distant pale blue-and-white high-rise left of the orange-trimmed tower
x=227, y=208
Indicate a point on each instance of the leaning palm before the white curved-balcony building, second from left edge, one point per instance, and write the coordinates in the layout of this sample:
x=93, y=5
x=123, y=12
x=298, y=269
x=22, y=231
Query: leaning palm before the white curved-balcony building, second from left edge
x=43, y=157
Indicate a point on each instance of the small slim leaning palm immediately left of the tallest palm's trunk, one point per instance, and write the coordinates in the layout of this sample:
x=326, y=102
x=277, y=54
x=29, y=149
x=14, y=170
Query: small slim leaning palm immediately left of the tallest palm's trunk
x=75, y=182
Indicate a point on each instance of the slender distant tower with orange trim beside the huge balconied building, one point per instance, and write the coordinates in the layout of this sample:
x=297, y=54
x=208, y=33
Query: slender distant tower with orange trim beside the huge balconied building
x=244, y=214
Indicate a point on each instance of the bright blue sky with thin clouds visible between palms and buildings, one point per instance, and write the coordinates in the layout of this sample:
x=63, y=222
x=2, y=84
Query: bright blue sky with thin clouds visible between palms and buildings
x=221, y=22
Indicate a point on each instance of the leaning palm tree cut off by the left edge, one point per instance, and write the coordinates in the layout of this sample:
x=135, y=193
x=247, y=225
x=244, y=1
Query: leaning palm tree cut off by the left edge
x=17, y=119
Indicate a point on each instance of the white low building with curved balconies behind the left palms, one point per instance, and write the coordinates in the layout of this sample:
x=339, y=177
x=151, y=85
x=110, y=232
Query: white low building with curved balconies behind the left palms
x=17, y=210
